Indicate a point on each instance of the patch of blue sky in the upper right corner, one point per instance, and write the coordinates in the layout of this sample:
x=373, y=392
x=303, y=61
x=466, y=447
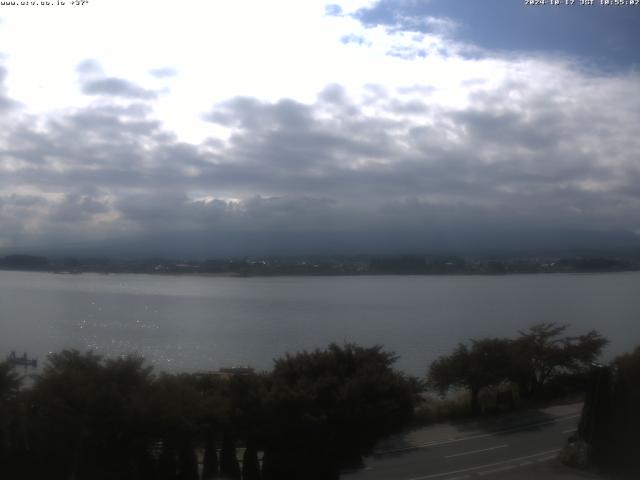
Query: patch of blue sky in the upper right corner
x=600, y=34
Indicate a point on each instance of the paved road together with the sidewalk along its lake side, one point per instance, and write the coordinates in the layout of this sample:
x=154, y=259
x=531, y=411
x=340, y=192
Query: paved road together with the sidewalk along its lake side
x=518, y=446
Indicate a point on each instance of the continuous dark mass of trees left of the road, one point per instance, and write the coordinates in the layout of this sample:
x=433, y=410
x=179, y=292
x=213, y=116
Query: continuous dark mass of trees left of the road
x=112, y=419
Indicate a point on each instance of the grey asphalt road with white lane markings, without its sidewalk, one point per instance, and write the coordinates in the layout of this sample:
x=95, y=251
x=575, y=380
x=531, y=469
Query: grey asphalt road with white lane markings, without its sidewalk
x=475, y=456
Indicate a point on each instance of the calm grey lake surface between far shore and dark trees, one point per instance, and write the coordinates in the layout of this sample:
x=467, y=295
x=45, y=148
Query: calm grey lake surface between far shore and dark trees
x=190, y=323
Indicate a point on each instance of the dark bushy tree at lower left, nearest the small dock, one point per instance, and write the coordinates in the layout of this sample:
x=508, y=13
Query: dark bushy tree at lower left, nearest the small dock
x=88, y=417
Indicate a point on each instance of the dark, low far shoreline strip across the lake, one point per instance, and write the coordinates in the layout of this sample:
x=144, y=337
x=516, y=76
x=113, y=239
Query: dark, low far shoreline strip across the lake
x=337, y=265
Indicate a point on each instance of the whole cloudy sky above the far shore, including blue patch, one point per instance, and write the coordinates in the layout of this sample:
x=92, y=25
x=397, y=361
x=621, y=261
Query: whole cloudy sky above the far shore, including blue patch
x=201, y=128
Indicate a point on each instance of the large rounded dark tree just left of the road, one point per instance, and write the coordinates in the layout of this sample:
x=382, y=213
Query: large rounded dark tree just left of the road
x=327, y=408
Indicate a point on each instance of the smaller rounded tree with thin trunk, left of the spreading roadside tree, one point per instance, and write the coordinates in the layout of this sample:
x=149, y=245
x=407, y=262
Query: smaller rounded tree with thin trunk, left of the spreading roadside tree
x=483, y=364
